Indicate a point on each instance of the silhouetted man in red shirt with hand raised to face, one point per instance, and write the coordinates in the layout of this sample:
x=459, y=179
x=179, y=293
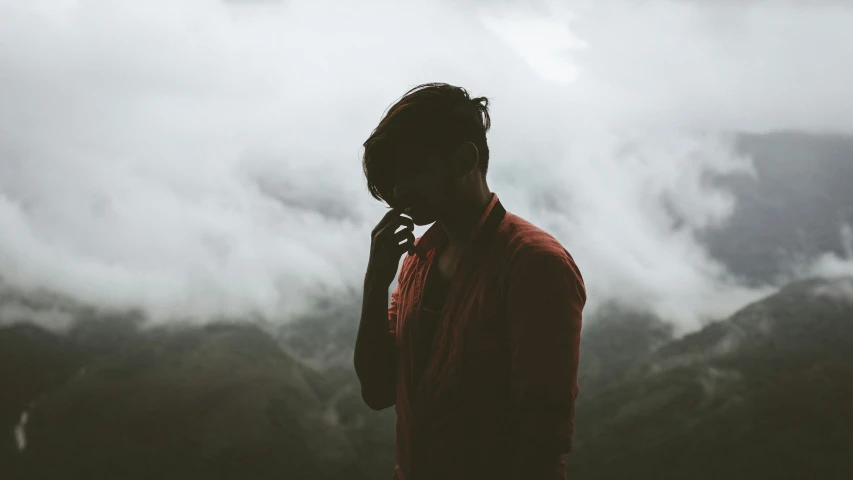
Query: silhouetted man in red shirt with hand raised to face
x=479, y=348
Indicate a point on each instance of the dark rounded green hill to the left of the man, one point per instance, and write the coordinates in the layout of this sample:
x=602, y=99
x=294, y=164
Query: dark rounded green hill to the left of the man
x=110, y=401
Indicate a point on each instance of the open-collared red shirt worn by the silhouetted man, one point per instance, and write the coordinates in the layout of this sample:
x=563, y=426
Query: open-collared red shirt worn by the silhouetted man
x=503, y=371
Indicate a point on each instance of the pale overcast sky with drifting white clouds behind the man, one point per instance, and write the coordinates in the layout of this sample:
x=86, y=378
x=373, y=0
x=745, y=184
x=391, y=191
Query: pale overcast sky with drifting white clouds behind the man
x=197, y=157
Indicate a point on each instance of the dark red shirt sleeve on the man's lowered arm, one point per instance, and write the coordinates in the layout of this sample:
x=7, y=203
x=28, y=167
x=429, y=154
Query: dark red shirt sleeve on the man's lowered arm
x=545, y=300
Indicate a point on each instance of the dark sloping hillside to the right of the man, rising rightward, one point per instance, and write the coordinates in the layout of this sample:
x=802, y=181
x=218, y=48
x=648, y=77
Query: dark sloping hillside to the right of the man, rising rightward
x=767, y=393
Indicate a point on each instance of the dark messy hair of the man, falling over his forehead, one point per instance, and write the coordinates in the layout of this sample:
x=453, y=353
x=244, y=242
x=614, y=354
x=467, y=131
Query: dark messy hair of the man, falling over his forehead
x=432, y=118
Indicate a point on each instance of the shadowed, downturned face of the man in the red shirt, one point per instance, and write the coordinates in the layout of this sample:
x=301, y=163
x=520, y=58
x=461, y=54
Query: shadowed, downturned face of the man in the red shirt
x=422, y=186
